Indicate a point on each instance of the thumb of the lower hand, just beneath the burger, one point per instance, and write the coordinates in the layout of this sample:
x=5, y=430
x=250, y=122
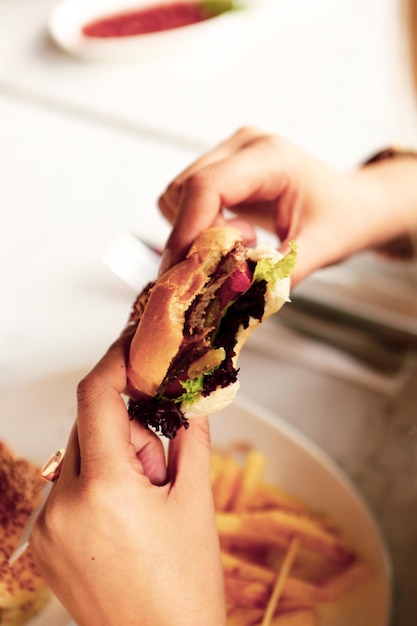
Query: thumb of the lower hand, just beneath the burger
x=189, y=456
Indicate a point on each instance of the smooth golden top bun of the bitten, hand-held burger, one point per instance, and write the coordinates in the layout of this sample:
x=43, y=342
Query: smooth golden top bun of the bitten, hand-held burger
x=159, y=332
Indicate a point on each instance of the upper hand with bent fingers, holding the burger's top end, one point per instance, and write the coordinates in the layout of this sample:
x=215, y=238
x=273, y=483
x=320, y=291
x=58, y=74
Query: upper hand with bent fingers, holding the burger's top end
x=267, y=181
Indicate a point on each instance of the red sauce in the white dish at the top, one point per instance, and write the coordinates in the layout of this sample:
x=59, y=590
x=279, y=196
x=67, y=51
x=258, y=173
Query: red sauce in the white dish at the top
x=150, y=19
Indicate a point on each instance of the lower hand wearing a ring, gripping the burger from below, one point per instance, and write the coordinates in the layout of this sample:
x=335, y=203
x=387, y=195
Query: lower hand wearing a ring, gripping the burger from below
x=115, y=544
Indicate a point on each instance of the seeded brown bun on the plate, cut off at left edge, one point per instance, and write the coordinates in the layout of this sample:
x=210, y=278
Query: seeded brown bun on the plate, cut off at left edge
x=23, y=593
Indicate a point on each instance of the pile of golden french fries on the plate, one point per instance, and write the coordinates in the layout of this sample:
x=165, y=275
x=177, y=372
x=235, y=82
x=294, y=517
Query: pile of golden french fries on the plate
x=282, y=562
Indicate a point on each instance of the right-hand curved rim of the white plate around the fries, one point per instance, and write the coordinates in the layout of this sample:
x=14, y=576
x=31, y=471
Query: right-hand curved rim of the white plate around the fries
x=296, y=465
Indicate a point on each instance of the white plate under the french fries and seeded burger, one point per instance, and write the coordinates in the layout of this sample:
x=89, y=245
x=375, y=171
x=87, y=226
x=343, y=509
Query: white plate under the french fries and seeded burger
x=36, y=419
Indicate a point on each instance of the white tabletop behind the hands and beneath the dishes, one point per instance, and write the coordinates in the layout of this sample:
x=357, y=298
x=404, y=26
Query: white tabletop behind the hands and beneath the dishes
x=85, y=149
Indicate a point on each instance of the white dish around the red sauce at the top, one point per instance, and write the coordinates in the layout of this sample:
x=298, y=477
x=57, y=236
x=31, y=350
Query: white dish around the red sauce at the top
x=69, y=16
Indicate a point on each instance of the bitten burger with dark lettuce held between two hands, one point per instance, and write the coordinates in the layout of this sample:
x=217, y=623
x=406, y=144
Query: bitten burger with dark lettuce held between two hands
x=191, y=323
